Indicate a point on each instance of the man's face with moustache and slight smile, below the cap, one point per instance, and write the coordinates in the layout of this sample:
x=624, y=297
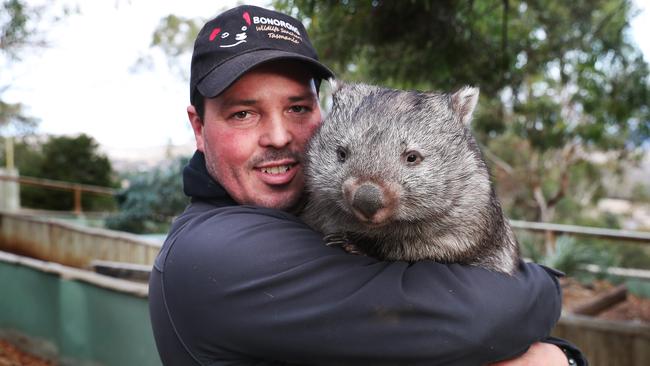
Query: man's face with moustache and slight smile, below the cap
x=254, y=134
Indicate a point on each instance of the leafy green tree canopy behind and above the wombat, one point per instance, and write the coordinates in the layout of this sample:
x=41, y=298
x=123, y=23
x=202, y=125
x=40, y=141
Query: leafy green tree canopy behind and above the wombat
x=558, y=79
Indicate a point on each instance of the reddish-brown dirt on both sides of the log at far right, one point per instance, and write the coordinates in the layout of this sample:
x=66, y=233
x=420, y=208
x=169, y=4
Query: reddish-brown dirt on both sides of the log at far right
x=633, y=308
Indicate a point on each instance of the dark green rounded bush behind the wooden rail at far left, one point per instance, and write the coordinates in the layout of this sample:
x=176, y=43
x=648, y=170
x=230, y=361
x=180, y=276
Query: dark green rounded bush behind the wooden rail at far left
x=70, y=159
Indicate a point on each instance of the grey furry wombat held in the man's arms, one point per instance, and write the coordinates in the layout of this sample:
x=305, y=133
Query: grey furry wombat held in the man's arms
x=399, y=175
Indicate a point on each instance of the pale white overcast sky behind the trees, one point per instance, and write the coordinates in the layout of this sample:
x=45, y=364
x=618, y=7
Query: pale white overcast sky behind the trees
x=84, y=82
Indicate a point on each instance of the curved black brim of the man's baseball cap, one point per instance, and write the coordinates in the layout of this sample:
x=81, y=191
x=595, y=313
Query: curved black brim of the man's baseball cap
x=221, y=77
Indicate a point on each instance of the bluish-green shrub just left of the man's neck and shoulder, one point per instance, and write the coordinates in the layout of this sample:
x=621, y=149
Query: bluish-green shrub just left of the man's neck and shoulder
x=151, y=200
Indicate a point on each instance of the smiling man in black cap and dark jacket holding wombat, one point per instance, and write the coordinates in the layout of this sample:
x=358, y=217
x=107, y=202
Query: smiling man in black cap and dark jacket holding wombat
x=240, y=280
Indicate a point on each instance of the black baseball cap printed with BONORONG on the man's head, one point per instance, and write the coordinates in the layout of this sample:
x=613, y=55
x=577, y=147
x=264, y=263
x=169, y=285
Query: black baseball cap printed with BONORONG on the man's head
x=241, y=38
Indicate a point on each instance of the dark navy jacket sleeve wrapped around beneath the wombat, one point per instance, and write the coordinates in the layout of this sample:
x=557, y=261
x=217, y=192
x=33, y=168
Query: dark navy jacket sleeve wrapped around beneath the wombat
x=253, y=282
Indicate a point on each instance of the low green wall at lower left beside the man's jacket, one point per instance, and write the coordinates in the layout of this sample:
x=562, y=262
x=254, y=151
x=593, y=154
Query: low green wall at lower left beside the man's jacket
x=88, y=325
